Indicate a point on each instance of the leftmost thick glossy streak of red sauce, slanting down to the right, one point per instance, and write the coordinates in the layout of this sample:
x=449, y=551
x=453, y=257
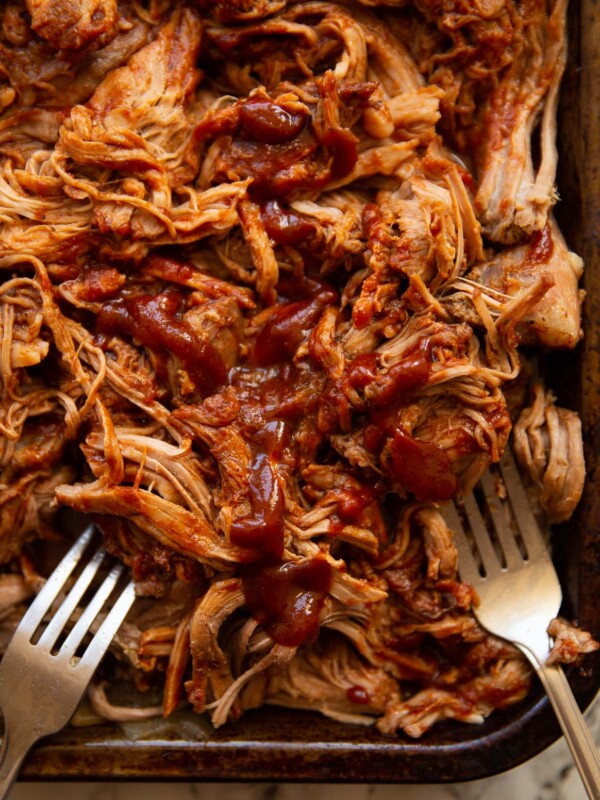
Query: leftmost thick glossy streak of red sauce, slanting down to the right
x=152, y=321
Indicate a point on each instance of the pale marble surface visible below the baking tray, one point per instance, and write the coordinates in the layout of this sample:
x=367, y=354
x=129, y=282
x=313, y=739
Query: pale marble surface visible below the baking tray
x=549, y=776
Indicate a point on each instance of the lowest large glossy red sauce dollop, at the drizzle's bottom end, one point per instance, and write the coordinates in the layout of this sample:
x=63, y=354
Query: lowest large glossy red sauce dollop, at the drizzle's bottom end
x=287, y=598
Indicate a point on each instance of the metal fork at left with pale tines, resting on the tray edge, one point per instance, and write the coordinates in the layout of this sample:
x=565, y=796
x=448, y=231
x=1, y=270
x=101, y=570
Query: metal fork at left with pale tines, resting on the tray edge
x=40, y=688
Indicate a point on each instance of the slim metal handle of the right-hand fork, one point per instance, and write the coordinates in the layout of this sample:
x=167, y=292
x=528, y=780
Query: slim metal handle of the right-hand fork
x=577, y=735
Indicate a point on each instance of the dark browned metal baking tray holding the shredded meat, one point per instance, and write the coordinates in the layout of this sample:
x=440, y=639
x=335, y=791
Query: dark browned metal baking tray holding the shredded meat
x=275, y=744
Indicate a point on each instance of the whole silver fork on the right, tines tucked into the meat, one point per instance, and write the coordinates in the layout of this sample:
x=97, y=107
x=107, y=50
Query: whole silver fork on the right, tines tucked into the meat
x=511, y=570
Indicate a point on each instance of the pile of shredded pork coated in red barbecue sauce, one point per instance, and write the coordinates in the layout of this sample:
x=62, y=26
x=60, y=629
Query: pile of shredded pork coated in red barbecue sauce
x=265, y=270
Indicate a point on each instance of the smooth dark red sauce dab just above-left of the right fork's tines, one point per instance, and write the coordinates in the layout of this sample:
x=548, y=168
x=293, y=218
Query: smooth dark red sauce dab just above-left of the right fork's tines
x=422, y=467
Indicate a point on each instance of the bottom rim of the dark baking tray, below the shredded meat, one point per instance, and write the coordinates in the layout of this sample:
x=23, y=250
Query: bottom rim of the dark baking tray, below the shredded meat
x=244, y=758
